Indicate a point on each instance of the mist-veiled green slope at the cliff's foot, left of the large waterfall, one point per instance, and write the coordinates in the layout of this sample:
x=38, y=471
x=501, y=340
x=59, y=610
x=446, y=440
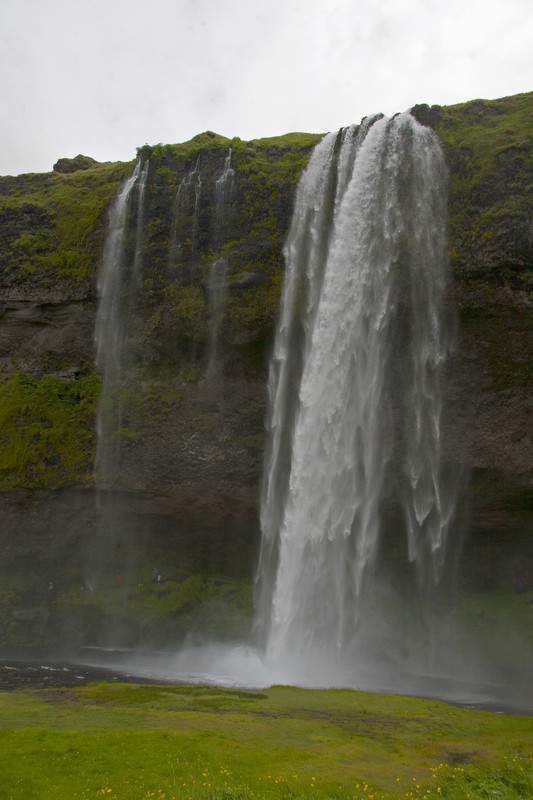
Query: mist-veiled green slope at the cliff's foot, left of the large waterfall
x=42, y=609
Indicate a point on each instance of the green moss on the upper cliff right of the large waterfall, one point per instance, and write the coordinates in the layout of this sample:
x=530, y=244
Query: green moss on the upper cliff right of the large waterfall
x=489, y=146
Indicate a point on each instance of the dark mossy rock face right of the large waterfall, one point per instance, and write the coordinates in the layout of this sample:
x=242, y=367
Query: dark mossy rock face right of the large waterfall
x=488, y=148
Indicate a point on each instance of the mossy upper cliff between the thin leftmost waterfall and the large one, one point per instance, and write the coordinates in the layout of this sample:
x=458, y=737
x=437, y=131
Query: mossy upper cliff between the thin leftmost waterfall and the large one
x=266, y=175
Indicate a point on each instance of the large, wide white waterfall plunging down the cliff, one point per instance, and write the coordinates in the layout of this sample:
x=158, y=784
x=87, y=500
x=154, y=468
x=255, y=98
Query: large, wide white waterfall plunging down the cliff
x=354, y=389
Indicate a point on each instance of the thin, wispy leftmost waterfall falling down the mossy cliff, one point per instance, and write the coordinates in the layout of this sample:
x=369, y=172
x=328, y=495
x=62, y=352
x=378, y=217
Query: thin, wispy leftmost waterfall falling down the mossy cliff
x=118, y=286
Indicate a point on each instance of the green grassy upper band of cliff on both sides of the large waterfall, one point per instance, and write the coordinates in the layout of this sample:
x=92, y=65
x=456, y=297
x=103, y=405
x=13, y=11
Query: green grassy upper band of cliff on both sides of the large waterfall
x=52, y=224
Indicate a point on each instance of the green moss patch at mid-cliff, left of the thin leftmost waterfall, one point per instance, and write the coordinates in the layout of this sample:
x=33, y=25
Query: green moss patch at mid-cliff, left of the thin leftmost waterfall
x=46, y=430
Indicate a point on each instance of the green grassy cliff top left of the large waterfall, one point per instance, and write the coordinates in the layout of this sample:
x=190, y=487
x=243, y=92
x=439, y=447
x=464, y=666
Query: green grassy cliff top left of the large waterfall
x=52, y=225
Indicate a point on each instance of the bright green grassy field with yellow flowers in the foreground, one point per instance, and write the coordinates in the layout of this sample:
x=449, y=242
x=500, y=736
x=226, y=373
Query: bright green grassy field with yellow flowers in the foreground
x=207, y=743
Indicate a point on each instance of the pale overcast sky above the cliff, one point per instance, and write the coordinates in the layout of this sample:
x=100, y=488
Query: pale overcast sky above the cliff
x=105, y=76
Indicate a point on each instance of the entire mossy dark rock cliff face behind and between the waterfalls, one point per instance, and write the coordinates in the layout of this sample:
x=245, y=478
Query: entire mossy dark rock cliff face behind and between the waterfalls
x=192, y=438
